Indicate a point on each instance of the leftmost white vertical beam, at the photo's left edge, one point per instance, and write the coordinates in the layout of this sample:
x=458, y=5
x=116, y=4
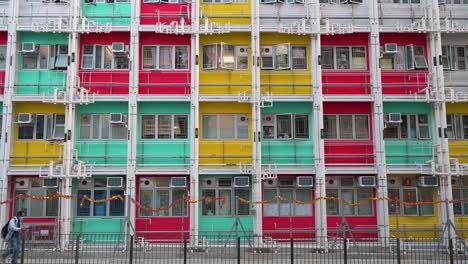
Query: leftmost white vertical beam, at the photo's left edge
x=8, y=107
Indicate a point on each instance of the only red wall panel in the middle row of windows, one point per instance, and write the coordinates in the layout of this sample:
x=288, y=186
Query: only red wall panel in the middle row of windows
x=349, y=151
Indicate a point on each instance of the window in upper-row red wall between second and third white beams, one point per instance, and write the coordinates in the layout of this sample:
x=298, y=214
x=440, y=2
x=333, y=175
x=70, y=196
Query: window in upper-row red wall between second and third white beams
x=98, y=57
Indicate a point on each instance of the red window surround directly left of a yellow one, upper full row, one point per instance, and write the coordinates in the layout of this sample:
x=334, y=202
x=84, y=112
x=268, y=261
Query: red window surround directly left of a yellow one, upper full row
x=163, y=82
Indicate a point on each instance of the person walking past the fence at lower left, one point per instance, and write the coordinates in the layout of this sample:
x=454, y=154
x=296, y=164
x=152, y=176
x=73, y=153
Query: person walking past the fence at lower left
x=13, y=238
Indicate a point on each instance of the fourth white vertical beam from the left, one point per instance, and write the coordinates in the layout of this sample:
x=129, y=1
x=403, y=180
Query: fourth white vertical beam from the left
x=194, y=107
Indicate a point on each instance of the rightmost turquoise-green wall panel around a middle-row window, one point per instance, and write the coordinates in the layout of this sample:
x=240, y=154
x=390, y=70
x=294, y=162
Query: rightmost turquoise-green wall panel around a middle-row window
x=409, y=151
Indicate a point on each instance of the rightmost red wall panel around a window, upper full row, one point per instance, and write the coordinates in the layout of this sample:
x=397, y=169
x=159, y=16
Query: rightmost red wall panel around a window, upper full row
x=404, y=82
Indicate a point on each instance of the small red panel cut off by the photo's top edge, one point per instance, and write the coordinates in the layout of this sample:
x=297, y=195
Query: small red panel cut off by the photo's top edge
x=153, y=13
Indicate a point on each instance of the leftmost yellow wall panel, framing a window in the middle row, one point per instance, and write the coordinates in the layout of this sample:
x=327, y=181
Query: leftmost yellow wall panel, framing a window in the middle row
x=33, y=153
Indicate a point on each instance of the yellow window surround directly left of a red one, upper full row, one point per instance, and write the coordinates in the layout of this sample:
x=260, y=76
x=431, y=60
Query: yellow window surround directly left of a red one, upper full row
x=286, y=82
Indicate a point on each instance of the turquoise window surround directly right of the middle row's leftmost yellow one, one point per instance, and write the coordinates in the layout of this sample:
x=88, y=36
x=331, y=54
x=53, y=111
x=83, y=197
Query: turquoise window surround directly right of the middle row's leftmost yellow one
x=100, y=152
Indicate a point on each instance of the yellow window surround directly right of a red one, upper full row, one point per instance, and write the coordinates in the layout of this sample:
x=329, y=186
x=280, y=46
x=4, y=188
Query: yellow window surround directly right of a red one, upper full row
x=225, y=82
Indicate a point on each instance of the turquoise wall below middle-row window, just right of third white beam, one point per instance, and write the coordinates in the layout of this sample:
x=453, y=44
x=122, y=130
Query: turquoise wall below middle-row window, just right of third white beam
x=163, y=157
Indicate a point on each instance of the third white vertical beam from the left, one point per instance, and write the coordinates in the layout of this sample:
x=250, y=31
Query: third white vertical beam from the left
x=133, y=115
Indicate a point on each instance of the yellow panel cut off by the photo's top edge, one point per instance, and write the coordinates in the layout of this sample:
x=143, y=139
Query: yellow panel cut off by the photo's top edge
x=234, y=14
